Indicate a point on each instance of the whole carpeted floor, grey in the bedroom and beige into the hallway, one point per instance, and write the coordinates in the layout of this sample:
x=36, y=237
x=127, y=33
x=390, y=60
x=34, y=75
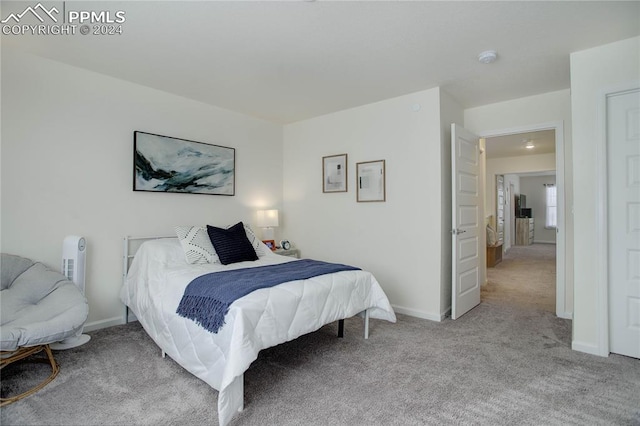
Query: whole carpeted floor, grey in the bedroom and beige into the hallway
x=503, y=363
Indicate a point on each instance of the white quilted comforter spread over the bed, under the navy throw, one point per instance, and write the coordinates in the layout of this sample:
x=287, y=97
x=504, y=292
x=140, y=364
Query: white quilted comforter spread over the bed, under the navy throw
x=156, y=282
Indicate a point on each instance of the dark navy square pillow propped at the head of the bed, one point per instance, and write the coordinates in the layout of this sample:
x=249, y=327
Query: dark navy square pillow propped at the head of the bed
x=231, y=244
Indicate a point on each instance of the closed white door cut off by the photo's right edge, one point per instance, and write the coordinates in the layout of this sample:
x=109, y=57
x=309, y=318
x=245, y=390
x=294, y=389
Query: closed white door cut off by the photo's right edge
x=623, y=156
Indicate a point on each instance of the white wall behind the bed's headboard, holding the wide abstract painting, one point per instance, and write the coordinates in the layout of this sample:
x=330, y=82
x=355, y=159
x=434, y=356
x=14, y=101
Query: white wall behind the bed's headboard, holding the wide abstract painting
x=67, y=159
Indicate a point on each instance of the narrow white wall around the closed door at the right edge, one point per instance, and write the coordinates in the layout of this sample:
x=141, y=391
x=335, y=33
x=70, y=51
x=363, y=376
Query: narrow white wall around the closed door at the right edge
x=594, y=73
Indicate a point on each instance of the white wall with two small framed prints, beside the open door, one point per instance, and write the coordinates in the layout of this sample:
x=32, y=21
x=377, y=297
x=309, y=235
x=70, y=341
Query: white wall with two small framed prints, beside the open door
x=398, y=240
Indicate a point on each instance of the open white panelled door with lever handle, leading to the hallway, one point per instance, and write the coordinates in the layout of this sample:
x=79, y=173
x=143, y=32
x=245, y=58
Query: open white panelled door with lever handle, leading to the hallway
x=466, y=224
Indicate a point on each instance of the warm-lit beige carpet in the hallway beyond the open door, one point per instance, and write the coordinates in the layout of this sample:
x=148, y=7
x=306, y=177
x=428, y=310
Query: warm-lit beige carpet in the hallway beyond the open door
x=526, y=277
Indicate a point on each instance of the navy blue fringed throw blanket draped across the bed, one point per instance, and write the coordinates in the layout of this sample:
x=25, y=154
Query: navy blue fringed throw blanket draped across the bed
x=207, y=298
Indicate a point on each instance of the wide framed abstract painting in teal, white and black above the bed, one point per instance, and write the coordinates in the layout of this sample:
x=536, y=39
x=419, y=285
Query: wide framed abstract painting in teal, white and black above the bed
x=167, y=164
